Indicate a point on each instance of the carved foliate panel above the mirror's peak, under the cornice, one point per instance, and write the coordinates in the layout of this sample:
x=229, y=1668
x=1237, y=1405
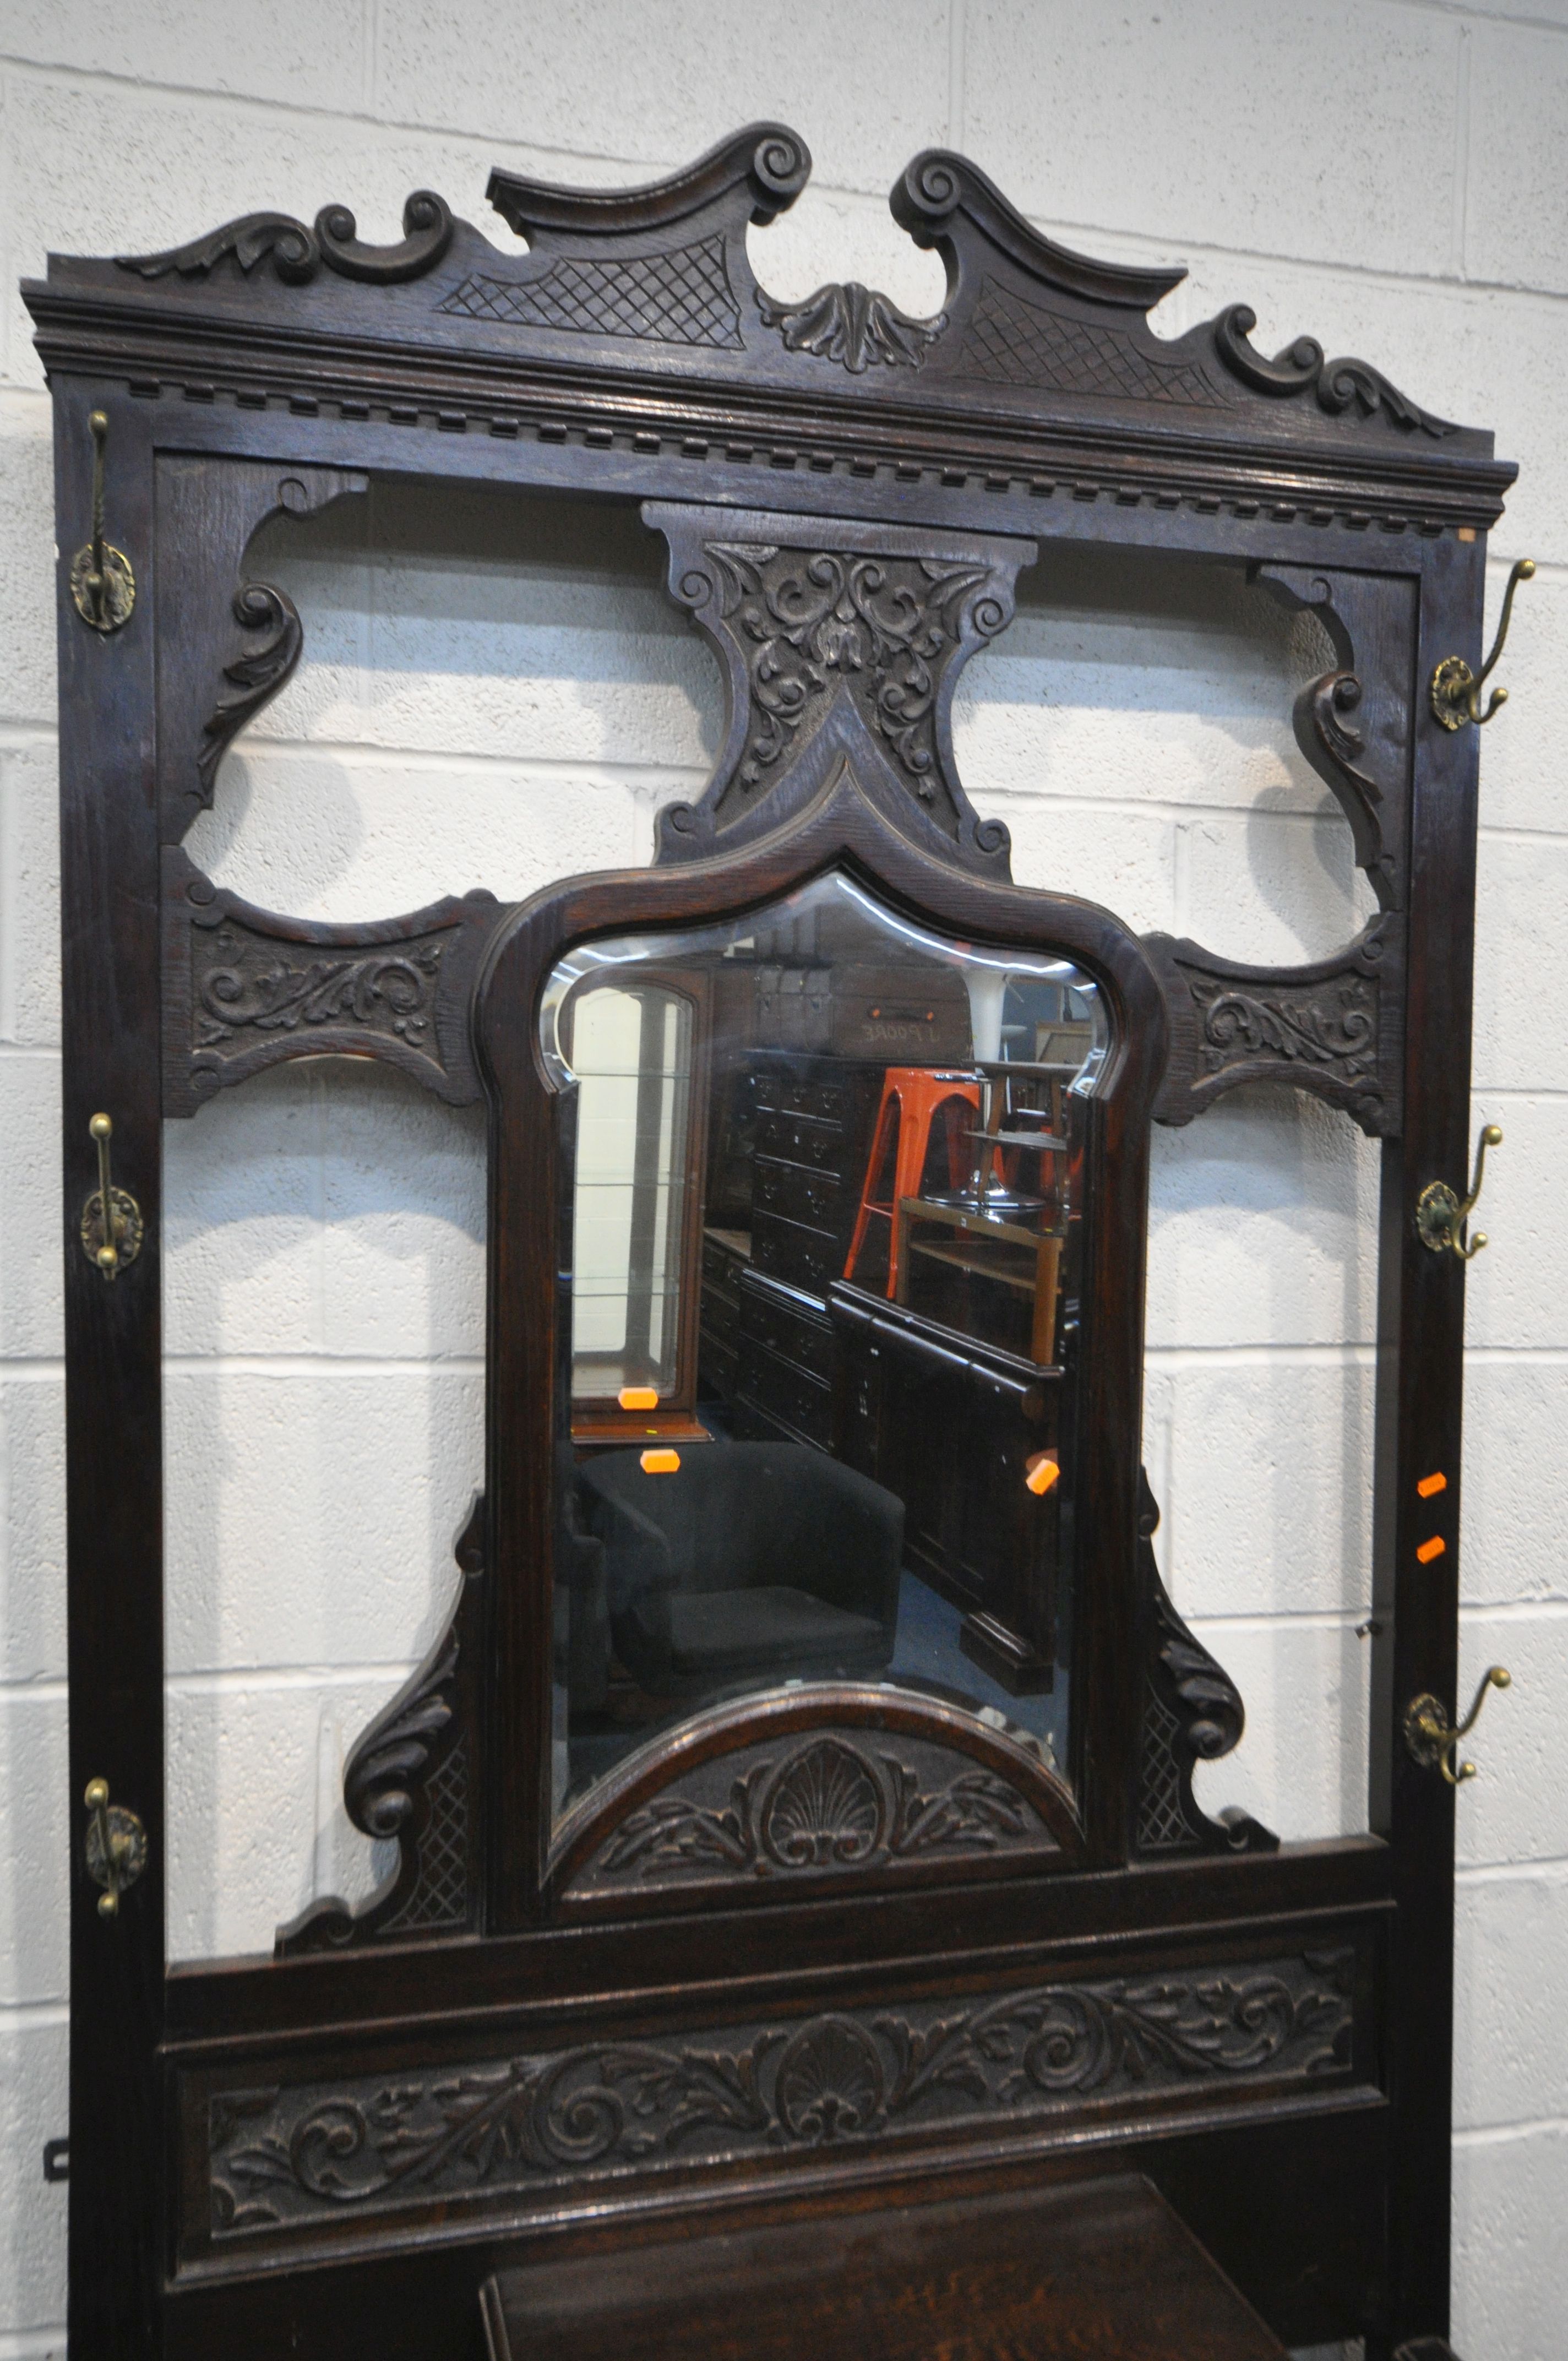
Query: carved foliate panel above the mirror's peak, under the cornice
x=865, y=622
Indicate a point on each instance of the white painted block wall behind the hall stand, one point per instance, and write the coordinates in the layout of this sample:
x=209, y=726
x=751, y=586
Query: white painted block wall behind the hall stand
x=497, y=695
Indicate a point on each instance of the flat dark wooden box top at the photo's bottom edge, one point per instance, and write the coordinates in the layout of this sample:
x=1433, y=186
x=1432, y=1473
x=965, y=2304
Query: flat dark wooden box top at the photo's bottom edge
x=1104, y=2272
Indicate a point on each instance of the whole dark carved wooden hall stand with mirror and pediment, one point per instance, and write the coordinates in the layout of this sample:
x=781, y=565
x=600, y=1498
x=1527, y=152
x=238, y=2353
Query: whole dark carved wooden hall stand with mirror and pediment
x=795, y=1826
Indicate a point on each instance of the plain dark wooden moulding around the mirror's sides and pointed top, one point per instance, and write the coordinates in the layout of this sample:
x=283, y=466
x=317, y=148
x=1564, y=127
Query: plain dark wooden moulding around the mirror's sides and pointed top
x=842, y=828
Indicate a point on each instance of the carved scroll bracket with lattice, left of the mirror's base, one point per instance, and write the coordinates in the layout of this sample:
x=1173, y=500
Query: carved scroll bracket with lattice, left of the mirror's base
x=414, y=1779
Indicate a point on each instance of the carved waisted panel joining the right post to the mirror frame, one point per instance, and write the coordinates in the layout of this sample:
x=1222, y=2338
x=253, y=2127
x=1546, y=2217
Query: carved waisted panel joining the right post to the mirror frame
x=1333, y=1028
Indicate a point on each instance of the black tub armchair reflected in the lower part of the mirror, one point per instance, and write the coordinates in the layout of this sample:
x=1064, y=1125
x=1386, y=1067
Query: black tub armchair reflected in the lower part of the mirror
x=750, y=1562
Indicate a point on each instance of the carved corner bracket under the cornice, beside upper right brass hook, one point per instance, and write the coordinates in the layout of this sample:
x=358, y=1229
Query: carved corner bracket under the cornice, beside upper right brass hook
x=1354, y=721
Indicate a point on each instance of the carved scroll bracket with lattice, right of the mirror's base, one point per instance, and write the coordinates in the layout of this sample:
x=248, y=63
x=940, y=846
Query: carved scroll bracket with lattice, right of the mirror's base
x=1191, y=1713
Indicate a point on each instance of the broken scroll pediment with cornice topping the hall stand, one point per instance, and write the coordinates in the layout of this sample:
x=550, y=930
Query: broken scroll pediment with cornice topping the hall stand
x=636, y=301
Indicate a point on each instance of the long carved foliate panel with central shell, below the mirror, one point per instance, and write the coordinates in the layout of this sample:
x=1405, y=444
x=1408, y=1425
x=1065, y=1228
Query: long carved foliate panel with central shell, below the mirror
x=544, y=2126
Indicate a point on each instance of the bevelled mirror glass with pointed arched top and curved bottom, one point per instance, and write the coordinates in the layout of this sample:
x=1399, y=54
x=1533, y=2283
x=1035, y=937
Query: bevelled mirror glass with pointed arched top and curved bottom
x=828, y=1196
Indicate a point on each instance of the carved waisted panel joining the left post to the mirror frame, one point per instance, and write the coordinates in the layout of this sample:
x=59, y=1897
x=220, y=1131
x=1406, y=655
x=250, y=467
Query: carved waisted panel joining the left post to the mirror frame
x=247, y=988
